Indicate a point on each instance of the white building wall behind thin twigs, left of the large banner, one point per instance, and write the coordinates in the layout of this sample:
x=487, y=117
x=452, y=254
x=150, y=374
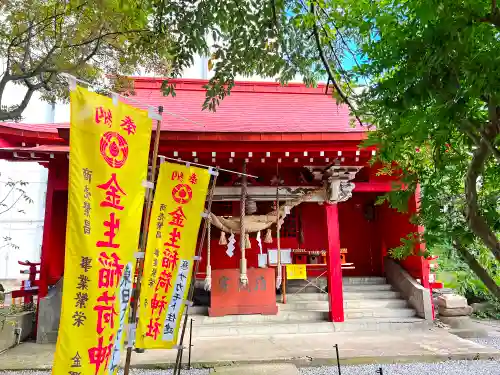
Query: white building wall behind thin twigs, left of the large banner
x=21, y=221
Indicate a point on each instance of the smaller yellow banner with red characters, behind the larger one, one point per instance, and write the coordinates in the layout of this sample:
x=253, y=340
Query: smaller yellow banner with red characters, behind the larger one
x=173, y=231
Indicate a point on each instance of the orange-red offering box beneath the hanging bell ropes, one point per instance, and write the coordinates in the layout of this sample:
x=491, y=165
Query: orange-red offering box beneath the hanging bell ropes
x=229, y=298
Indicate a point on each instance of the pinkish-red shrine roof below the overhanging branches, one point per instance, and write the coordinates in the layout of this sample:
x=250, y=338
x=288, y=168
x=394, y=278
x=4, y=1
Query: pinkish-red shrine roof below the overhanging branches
x=252, y=107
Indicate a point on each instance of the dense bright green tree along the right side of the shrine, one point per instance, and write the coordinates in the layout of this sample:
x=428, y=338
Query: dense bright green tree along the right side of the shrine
x=434, y=98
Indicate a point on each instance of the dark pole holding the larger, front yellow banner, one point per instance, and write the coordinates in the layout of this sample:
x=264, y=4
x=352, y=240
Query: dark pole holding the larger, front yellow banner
x=145, y=225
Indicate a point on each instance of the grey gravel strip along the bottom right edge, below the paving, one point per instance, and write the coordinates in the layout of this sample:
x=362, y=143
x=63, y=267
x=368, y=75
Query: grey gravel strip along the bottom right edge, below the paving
x=443, y=368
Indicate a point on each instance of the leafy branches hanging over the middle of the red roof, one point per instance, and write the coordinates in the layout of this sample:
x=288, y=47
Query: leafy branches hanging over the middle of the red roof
x=275, y=39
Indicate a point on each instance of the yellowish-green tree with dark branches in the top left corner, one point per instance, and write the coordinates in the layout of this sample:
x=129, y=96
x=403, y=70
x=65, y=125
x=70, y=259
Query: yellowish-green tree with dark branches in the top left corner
x=40, y=39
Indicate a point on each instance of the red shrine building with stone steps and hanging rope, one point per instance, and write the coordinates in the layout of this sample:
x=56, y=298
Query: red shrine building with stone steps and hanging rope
x=300, y=146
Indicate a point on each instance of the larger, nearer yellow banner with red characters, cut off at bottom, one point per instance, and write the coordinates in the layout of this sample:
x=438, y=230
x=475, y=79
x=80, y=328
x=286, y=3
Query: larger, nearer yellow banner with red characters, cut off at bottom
x=109, y=147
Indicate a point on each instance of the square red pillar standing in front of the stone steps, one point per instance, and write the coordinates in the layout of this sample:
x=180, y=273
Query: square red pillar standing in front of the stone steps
x=334, y=271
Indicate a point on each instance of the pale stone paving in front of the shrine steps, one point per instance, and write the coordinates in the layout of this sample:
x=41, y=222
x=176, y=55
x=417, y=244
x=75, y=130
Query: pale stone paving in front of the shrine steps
x=310, y=349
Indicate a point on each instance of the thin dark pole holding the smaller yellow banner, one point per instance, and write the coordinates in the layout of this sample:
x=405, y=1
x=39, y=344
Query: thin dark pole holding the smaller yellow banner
x=178, y=360
